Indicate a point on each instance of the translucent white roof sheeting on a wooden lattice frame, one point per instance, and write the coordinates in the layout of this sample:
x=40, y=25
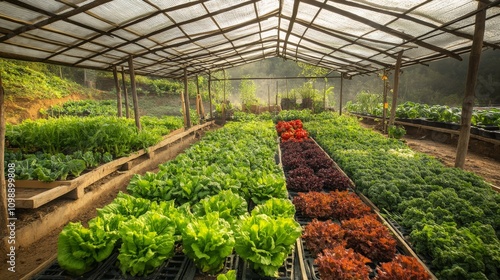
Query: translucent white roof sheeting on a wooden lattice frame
x=166, y=36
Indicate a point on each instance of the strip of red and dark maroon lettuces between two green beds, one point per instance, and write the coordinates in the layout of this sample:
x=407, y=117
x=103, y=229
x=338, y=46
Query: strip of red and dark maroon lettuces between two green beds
x=341, y=233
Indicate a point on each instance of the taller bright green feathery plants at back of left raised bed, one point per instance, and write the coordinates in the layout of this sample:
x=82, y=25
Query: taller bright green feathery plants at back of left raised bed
x=67, y=135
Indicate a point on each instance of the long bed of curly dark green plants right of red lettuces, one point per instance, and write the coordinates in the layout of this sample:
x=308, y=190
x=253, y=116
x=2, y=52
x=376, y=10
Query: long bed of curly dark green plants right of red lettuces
x=451, y=217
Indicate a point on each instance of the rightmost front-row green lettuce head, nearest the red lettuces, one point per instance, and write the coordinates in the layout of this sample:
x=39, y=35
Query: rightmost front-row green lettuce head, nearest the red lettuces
x=266, y=242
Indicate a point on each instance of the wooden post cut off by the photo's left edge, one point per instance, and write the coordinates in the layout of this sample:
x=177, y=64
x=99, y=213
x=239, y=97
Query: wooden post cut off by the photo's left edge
x=4, y=217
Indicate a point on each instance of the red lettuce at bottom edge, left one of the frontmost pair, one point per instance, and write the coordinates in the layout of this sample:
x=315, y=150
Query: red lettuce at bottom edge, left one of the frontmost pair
x=340, y=263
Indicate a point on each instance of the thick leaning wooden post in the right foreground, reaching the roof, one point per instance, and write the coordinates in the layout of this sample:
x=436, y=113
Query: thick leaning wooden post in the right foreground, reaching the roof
x=472, y=73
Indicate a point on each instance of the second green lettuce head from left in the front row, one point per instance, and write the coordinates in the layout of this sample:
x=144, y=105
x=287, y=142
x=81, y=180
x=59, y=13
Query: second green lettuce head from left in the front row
x=146, y=243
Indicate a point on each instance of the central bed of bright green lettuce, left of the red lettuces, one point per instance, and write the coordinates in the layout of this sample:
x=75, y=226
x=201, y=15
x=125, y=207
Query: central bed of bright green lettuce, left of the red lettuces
x=196, y=204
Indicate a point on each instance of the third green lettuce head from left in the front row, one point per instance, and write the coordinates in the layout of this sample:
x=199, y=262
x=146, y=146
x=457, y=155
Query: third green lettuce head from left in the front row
x=208, y=241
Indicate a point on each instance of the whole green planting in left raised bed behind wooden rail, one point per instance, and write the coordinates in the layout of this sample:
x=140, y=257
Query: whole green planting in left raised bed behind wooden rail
x=62, y=148
